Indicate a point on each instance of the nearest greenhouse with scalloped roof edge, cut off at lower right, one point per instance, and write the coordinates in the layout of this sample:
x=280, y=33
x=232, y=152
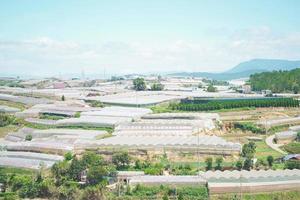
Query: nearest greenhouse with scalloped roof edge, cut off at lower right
x=252, y=181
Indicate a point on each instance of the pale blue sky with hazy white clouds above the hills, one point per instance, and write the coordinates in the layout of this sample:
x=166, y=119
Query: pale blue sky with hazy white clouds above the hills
x=54, y=37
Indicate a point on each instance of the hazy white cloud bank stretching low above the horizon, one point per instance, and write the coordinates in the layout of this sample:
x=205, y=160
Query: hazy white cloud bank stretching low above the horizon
x=44, y=55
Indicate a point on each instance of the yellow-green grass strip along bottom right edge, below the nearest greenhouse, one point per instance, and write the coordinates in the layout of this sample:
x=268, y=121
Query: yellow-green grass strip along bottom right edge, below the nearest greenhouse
x=286, y=195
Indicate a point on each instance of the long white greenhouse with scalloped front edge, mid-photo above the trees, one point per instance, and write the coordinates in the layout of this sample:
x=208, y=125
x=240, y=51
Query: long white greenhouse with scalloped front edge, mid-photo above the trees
x=201, y=144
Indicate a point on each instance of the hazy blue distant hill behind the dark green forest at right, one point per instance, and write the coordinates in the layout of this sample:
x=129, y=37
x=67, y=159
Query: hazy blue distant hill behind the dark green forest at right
x=245, y=69
